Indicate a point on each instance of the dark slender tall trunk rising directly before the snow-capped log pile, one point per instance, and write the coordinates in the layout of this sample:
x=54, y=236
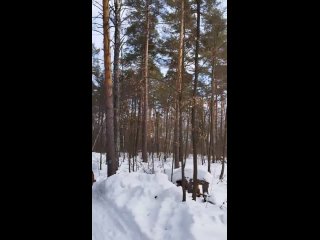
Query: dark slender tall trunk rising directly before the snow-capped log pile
x=193, y=120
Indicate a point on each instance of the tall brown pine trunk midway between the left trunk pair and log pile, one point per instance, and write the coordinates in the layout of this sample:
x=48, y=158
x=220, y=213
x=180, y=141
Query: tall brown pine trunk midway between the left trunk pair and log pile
x=145, y=112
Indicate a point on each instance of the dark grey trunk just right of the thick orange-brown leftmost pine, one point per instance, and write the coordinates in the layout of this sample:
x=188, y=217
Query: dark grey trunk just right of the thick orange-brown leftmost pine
x=116, y=74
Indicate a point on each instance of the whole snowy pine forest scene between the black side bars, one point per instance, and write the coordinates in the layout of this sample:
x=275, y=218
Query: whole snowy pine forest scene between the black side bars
x=159, y=85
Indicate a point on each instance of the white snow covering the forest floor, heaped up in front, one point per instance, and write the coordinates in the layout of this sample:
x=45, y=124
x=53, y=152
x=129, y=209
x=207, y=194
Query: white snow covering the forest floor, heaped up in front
x=143, y=206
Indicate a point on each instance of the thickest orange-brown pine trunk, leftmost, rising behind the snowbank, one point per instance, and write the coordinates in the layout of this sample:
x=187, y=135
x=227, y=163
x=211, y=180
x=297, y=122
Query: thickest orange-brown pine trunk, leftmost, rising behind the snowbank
x=111, y=154
